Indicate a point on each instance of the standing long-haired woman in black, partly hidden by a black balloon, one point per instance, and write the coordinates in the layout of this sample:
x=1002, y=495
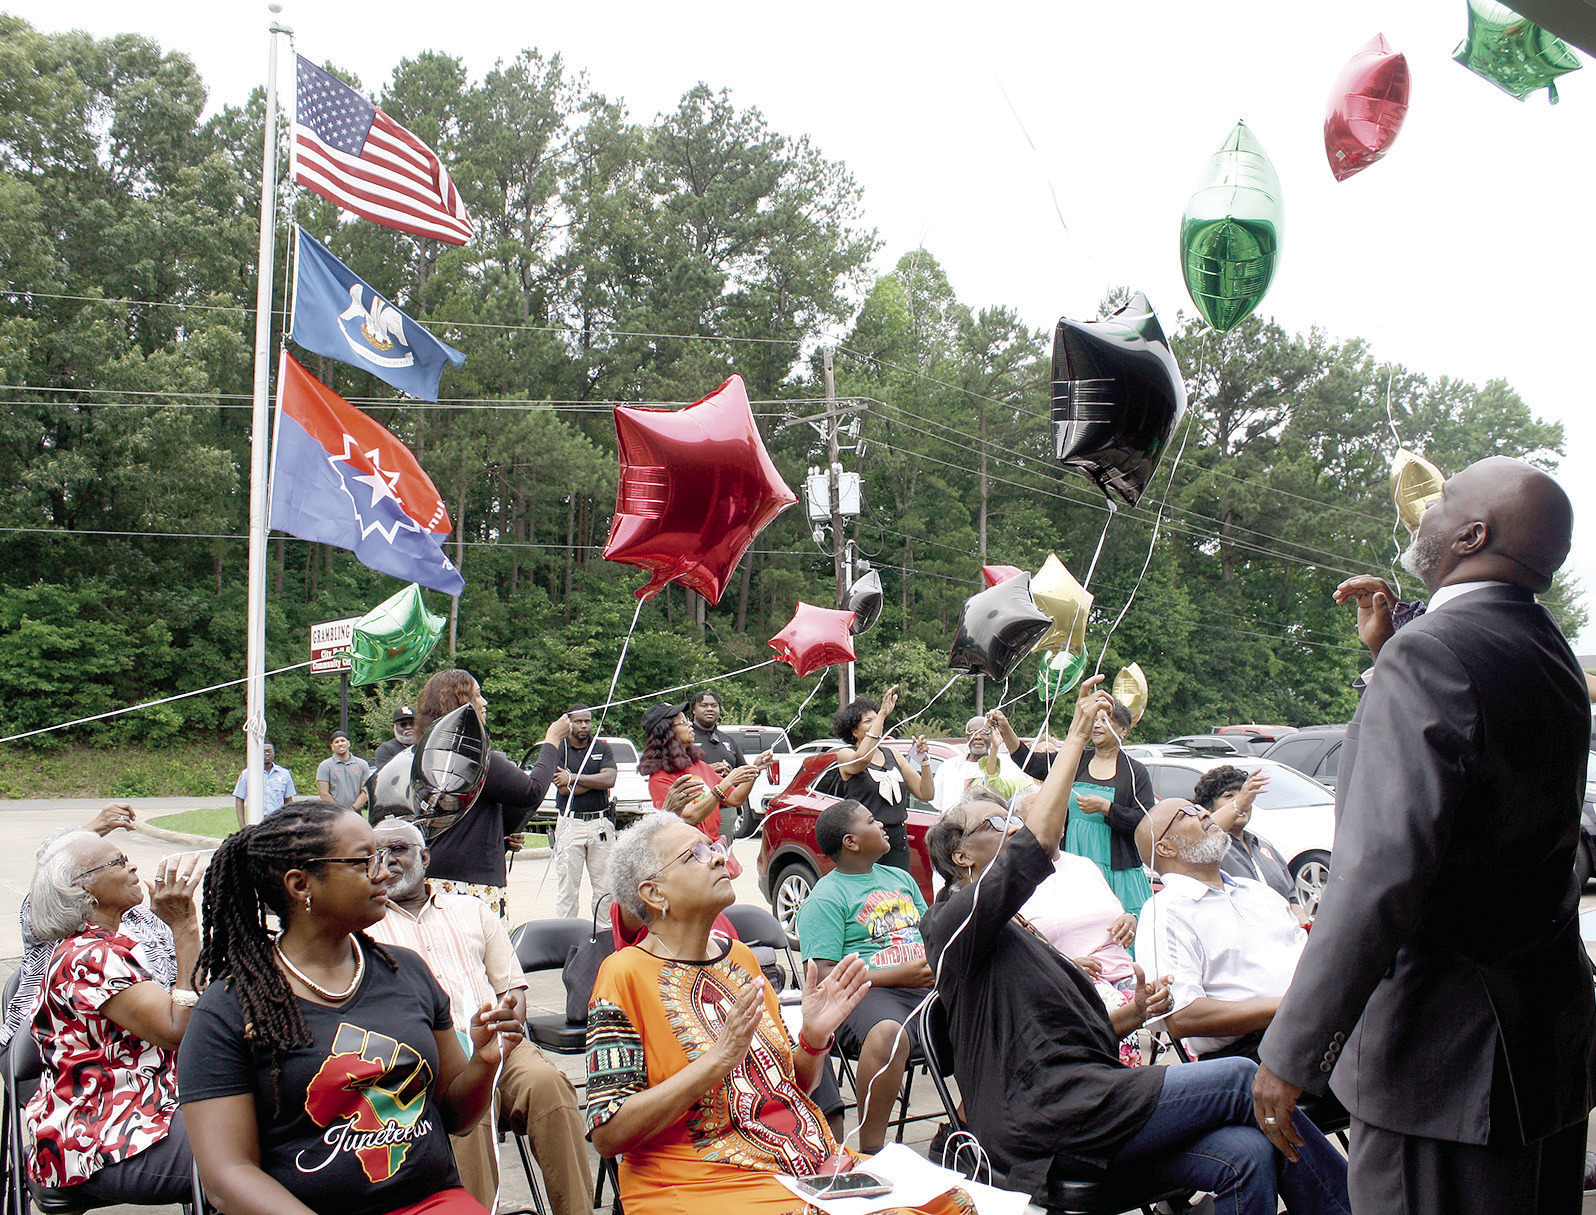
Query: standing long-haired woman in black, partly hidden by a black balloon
x=470, y=857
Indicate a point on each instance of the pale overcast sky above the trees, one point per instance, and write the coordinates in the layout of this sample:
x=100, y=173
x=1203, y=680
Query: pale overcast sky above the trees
x=1469, y=251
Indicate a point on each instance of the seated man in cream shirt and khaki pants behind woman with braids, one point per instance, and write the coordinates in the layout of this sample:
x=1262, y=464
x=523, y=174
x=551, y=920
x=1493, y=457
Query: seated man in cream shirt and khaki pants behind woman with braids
x=468, y=951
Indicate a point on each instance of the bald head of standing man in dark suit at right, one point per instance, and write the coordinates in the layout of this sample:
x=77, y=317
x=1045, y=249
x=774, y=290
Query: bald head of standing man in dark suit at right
x=1498, y=520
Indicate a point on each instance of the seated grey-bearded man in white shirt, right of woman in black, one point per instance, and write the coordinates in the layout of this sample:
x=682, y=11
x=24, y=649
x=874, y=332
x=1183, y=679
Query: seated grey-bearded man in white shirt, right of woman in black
x=1230, y=944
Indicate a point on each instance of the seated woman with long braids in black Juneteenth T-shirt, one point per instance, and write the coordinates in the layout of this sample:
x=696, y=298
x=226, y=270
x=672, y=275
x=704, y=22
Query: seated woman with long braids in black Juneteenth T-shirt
x=322, y=1072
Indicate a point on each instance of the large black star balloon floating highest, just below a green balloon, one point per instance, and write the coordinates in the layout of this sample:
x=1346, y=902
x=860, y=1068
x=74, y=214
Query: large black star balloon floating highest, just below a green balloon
x=1118, y=397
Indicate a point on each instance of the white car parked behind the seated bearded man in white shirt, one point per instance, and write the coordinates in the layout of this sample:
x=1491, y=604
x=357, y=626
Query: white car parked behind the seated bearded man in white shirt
x=1297, y=813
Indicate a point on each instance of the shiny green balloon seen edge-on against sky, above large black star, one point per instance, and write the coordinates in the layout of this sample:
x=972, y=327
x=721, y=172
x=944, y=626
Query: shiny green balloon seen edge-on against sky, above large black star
x=1231, y=232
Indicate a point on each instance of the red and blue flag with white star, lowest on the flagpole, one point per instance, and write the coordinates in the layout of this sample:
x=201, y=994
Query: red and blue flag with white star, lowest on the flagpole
x=339, y=478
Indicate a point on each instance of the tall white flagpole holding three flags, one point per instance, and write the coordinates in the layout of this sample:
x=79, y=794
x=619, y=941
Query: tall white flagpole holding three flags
x=256, y=700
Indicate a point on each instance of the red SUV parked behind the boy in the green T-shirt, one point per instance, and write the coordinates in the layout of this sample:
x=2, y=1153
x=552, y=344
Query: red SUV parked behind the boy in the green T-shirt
x=789, y=861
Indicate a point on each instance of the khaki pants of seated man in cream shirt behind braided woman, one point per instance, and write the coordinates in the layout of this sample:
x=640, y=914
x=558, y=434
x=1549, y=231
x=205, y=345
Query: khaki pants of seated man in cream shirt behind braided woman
x=539, y=1102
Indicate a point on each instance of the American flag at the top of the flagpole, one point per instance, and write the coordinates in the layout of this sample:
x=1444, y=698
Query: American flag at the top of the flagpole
x=355, y=156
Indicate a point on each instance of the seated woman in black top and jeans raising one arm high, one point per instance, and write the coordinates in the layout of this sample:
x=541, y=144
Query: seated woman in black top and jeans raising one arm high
x=1038, y=1055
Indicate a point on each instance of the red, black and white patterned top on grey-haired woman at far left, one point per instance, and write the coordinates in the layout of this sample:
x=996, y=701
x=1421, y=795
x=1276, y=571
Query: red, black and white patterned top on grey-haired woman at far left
x=106, y=1093
